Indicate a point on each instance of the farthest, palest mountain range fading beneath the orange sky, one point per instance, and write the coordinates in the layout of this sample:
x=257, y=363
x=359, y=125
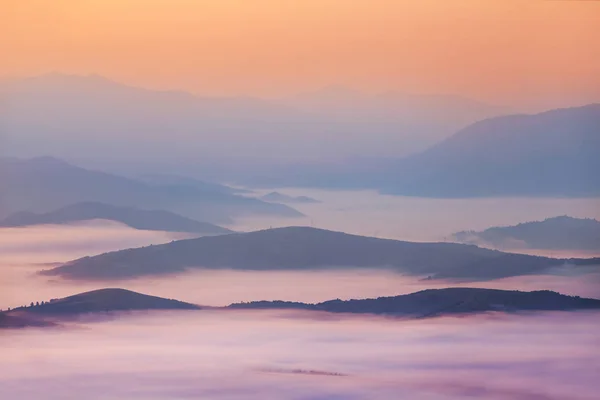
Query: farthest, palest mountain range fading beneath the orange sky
x=91, y=117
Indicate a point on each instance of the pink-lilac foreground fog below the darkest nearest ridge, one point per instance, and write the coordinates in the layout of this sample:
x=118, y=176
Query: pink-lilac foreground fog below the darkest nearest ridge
x=290, y=355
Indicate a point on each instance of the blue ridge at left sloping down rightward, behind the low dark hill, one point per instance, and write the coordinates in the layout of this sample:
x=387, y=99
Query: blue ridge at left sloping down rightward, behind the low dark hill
x=44, y=184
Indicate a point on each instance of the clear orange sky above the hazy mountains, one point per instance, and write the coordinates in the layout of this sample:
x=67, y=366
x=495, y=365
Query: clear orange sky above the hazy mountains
x=504, y=51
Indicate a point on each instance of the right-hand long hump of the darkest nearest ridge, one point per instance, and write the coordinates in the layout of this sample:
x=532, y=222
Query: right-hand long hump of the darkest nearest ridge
x=438, y=302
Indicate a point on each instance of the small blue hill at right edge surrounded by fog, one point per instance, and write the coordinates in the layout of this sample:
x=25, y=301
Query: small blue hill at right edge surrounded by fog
x=558, y=233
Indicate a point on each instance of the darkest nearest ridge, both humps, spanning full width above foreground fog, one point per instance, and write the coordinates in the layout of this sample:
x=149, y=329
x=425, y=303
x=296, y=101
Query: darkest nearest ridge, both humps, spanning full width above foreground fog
x=424, y=304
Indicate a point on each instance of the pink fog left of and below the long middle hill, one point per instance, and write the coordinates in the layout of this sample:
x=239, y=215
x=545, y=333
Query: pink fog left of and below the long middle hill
x=25, y=251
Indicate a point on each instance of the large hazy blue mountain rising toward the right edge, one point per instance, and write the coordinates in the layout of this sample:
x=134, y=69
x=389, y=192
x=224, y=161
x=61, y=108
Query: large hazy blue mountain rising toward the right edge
x=555, y=153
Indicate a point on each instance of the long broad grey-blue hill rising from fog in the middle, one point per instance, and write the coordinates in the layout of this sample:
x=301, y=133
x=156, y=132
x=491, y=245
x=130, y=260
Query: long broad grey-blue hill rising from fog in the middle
x=307, y=248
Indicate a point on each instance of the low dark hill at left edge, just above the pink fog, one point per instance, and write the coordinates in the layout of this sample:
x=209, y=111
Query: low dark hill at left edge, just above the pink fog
x=154, y=220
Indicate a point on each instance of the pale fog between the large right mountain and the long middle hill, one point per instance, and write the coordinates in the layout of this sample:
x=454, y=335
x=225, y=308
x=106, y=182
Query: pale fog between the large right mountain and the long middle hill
x=370, y=213
